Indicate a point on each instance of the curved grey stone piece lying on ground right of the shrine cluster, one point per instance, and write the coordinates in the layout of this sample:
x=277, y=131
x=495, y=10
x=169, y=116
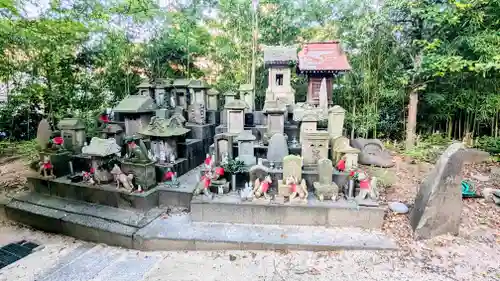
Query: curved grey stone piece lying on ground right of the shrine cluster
x=372, y=153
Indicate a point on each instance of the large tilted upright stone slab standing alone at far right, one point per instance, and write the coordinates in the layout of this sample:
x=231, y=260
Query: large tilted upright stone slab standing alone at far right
x=438, y=205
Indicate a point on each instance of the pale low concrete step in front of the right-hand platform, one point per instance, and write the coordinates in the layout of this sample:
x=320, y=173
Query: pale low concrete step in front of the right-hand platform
x=178, y=232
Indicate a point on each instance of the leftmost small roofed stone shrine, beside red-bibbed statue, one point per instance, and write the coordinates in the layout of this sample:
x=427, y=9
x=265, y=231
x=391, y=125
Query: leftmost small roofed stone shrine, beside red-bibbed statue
x=73, y=133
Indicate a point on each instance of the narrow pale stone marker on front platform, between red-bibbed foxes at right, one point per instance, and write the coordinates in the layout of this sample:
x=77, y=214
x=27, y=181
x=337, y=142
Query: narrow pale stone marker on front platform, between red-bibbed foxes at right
x=325, y=188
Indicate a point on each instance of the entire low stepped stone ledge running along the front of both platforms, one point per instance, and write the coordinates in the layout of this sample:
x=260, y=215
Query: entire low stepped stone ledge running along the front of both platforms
x=156, y=230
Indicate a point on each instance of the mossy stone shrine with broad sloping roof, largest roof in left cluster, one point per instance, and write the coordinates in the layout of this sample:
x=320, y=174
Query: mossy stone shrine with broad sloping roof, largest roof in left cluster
x=137, y=112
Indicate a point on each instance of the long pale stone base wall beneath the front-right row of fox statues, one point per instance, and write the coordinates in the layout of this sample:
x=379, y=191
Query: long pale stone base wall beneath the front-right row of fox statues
x=342, y=213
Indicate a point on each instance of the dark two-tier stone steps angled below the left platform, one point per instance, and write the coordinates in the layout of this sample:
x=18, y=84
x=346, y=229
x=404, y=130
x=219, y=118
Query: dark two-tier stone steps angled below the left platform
x=89, y=222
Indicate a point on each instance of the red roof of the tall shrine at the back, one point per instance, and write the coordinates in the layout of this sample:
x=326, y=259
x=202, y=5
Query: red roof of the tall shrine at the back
x=323, y=57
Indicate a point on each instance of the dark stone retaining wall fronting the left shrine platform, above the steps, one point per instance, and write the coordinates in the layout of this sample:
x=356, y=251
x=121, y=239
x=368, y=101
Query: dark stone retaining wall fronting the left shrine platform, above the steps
x=107, y=194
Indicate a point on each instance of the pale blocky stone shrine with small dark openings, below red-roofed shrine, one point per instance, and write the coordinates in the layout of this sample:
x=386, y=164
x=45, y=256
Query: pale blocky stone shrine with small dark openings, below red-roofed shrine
x=315, y=147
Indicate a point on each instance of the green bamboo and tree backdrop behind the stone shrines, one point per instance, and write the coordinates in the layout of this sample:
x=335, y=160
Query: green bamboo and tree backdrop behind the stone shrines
x=418, y=66
